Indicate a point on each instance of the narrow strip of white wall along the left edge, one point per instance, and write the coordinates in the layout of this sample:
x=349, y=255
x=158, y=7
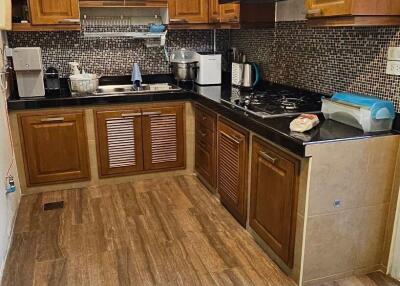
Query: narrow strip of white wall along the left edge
x=8, y=203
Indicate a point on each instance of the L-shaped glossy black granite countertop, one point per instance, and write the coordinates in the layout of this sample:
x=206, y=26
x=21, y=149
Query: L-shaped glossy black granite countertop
x=274, y=129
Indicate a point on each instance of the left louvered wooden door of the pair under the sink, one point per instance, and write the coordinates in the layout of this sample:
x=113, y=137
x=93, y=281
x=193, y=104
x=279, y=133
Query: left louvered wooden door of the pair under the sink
x=119, y=139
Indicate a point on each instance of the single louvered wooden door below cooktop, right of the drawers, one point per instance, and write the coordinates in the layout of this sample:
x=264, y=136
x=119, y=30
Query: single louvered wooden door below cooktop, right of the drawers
x=232, y=169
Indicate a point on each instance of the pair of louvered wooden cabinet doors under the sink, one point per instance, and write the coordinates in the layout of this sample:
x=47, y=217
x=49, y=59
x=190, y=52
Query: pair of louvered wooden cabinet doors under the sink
x=140, y=139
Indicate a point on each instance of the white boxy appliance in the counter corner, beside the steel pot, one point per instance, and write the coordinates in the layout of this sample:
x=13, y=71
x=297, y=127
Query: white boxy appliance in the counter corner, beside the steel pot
x=209, y=69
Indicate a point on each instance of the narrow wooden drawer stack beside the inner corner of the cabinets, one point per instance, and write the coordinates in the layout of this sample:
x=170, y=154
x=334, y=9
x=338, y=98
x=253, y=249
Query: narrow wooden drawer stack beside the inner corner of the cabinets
x=206, y=146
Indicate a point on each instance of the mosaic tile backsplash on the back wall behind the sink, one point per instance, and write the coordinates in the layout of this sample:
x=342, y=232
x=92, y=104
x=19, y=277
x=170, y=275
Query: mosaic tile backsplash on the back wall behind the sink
x=109, y=56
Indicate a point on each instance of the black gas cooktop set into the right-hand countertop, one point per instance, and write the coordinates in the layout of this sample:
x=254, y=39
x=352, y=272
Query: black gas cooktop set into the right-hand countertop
x=275, y=101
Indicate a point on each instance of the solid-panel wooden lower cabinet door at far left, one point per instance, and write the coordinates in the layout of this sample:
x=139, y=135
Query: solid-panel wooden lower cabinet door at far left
x=55, y=147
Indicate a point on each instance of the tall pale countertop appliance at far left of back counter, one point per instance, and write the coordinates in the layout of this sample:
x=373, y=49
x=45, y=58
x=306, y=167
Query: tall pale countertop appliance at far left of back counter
x=29, y=70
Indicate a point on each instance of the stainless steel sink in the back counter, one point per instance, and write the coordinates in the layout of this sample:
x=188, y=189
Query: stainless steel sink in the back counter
x=130, y=89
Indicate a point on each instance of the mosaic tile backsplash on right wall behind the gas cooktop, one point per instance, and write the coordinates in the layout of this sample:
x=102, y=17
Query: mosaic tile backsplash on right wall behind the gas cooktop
x=324, y=59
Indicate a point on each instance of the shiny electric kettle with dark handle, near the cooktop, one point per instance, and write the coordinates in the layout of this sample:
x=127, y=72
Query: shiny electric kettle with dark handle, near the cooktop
x=245, y=74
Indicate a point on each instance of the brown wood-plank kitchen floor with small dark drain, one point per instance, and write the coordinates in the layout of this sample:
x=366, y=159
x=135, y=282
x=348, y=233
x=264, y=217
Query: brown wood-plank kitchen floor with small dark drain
x=169, y=231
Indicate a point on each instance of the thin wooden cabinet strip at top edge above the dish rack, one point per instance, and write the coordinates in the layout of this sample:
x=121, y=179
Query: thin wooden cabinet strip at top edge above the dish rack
x=123, y=4
